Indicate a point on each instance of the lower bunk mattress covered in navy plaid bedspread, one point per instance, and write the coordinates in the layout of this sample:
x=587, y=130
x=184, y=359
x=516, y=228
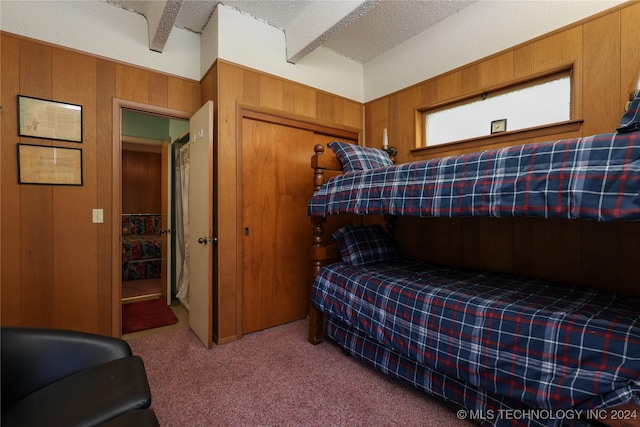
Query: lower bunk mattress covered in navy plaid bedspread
x=488, y=341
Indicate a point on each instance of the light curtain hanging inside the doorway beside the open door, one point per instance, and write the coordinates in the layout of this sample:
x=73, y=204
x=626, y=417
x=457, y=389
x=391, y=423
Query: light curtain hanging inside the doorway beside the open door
x=182, y=220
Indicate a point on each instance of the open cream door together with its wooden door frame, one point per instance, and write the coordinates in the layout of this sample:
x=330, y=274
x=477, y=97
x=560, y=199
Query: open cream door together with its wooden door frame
x=201, y=281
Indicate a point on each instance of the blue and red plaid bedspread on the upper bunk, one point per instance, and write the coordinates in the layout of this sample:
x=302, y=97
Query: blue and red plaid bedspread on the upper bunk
x=596, y=177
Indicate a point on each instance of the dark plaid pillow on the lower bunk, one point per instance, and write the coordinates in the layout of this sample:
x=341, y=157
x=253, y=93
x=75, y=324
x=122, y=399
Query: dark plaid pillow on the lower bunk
x=364, y=244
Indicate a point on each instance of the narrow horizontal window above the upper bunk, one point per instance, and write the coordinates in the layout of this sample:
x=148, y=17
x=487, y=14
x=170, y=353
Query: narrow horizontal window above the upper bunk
x=527, y=105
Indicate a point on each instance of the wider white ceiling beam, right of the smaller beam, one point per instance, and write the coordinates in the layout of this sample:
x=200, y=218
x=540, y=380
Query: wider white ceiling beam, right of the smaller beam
x=317, y=23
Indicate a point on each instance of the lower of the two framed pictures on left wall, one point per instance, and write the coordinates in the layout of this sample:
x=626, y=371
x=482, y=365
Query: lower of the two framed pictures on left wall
x=39, y=164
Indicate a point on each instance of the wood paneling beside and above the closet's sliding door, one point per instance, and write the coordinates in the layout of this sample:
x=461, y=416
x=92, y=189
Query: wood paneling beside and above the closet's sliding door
x=234, y=86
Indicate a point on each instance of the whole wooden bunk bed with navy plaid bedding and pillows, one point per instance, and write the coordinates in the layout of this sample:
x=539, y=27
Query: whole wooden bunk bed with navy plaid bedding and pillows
x=510, y=350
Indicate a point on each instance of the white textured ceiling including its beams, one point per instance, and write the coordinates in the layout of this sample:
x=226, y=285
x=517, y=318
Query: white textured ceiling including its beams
x=357, y=29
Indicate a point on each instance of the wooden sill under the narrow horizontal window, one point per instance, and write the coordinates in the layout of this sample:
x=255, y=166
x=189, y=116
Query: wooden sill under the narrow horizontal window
x=470, y=144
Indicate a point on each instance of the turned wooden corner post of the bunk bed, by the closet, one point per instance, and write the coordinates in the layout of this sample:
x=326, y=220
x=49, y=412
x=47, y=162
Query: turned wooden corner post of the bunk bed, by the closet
x=316, y=317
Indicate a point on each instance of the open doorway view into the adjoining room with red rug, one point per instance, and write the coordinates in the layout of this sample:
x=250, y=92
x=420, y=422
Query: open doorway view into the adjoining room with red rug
x=151, y=259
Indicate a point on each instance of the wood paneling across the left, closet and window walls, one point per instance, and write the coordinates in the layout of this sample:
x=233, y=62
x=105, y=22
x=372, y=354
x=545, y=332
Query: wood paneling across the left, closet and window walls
x=56, y=265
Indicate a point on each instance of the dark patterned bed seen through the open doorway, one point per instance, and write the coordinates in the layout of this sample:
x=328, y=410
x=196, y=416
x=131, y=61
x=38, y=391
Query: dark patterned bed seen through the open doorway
x=141, y=246
